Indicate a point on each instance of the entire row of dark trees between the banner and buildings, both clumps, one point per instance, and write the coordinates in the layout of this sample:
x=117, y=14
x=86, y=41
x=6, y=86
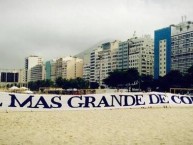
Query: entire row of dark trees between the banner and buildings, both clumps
x=129, y=79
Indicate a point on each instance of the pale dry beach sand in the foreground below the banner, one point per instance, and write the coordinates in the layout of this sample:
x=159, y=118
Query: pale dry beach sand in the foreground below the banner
x=98, y=127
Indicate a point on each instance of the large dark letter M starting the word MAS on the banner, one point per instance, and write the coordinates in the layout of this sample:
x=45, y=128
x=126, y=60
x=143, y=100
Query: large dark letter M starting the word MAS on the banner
x=14, y=100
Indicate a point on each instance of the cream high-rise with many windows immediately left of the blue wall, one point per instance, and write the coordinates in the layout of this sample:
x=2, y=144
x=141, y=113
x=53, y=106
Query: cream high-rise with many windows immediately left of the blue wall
x=141, y=54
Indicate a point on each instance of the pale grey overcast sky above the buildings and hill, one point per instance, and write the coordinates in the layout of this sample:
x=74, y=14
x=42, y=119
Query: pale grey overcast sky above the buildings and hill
x=58, y=28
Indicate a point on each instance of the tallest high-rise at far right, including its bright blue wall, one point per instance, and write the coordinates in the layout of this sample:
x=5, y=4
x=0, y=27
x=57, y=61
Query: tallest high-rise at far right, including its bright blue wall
x=173, y=48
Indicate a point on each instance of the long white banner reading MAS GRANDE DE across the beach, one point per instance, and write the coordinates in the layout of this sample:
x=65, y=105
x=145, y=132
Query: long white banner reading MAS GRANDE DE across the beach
x=43, y=102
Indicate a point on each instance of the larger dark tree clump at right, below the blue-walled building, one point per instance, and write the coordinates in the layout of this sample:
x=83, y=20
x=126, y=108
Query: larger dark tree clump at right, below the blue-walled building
x=132, y=79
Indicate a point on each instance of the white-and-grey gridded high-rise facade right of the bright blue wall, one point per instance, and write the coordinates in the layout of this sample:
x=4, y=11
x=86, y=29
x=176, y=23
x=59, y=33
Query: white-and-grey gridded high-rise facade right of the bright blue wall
x=182, y=46
